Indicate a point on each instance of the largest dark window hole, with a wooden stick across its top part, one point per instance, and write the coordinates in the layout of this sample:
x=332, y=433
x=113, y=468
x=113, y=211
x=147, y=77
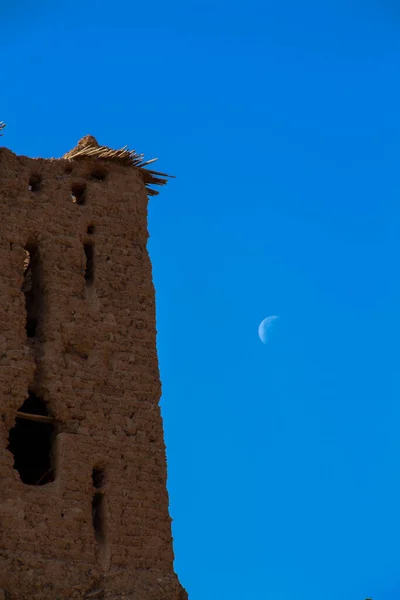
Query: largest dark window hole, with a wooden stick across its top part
x=31, y=442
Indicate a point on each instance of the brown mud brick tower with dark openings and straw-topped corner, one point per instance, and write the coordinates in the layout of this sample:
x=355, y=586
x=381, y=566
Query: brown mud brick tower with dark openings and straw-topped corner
x=83, y=498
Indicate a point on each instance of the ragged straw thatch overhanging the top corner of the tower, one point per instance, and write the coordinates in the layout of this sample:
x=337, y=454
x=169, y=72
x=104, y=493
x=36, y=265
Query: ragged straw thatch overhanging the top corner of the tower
x=88, y=147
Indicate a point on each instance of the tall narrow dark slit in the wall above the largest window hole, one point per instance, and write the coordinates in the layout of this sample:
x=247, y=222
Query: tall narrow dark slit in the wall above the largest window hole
x=32, y=289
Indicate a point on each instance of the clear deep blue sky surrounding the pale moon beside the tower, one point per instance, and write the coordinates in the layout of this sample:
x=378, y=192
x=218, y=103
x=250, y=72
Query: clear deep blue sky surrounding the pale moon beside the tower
x=281, y=122
